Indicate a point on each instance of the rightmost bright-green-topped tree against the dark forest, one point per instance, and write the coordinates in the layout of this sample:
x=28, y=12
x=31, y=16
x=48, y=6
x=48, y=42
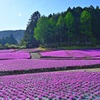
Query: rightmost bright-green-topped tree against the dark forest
x=86, y=27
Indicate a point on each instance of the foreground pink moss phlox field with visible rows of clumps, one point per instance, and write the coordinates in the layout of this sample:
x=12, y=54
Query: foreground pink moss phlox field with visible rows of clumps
x=51, y=86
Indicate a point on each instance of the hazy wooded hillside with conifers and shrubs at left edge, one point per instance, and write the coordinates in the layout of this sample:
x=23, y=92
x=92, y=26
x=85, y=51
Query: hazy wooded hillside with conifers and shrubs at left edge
x=11, y=38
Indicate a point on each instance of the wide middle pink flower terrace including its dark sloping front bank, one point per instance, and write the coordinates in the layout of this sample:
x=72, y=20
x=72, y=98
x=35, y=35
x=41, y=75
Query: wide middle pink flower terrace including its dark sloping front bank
x=37, y=65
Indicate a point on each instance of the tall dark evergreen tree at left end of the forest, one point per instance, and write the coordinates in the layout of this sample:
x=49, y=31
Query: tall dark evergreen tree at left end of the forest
x=30, y=41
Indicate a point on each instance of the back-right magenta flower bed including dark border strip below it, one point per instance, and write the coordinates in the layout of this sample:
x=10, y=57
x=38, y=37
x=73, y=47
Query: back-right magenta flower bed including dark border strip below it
x=72, y=54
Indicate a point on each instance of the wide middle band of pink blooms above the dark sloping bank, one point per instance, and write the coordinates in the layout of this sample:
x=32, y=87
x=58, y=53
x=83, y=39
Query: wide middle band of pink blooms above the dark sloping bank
x=26, y=64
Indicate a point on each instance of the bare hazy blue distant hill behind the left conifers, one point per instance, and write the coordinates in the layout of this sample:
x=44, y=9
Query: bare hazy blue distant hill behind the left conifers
x=18, y=34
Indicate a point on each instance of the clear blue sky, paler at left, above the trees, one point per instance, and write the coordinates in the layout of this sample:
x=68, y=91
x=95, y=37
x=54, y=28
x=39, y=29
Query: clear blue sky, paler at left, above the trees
x=15, y=14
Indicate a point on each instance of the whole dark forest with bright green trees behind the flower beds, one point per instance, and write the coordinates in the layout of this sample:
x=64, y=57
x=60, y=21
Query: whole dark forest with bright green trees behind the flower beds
x=76, y=26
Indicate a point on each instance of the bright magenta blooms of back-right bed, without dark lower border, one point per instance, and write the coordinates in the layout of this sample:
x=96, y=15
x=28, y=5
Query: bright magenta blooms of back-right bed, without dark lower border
x=72, y=53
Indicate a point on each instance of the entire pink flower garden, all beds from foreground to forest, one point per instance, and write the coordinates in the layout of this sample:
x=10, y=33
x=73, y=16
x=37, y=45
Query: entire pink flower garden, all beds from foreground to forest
x=58, y=85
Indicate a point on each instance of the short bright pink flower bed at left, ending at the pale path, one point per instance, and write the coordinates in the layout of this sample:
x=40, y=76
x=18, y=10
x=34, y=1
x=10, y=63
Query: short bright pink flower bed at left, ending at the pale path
x=14, y=55
